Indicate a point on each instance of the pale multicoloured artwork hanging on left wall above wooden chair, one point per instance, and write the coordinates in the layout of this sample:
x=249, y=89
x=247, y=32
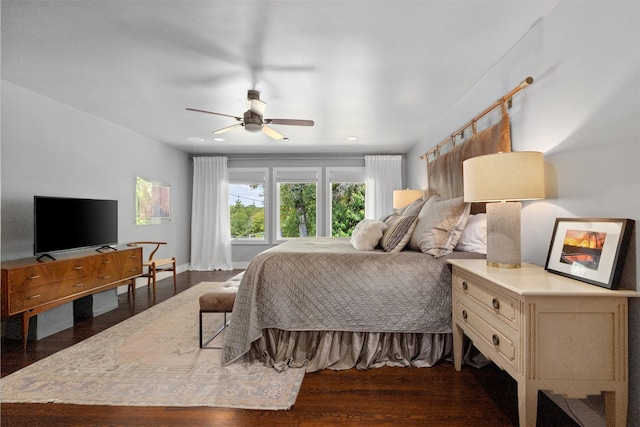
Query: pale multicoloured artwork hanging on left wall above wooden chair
x=153, y=201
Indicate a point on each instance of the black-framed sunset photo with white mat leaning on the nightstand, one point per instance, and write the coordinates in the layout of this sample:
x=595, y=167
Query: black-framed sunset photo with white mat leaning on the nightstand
x=590, y=249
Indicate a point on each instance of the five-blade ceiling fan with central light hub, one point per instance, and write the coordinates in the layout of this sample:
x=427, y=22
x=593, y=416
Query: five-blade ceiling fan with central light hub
x=253, y=120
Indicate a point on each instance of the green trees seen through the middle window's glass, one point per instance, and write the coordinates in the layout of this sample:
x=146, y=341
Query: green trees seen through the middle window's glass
x=297, y=210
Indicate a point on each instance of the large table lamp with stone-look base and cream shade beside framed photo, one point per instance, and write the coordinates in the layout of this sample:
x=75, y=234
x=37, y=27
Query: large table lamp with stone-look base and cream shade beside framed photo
x=503, y=179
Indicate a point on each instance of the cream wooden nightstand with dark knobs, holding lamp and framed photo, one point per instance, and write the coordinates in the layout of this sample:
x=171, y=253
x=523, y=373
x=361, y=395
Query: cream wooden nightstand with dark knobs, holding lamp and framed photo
x=547, y=331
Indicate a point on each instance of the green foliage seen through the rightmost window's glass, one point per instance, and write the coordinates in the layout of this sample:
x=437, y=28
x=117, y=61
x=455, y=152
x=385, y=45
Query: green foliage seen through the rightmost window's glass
x=347, y=207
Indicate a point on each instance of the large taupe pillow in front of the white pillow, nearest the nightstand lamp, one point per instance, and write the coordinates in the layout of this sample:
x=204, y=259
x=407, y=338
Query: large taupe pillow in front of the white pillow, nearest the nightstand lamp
x=440, y=224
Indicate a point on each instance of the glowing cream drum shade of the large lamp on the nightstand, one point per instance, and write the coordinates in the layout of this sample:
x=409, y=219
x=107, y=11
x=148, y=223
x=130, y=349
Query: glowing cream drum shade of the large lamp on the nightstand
x=504, y=177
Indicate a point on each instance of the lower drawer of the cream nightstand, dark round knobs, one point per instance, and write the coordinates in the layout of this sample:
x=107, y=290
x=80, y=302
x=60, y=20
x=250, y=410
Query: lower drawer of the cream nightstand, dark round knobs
x=498, y=344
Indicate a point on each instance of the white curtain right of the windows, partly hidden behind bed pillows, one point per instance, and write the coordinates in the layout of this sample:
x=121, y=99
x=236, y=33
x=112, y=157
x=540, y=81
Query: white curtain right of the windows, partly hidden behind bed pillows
x=383, y=175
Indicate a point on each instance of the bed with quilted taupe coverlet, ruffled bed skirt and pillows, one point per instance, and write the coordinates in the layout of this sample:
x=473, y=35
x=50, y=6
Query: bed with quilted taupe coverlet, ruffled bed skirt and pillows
x=325, y=303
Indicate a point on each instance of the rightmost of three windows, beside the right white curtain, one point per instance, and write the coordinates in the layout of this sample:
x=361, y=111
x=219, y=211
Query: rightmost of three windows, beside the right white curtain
x=346, y=199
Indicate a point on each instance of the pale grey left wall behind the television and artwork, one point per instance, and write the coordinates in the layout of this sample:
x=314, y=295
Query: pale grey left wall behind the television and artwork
x=51, y=149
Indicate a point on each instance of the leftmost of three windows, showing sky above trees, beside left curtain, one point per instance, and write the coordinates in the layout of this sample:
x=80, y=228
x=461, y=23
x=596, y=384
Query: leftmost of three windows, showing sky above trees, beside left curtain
x=247, y=195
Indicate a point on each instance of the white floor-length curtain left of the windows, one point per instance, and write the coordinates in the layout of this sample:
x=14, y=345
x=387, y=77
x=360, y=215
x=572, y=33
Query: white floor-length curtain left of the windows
x=210, y=225
